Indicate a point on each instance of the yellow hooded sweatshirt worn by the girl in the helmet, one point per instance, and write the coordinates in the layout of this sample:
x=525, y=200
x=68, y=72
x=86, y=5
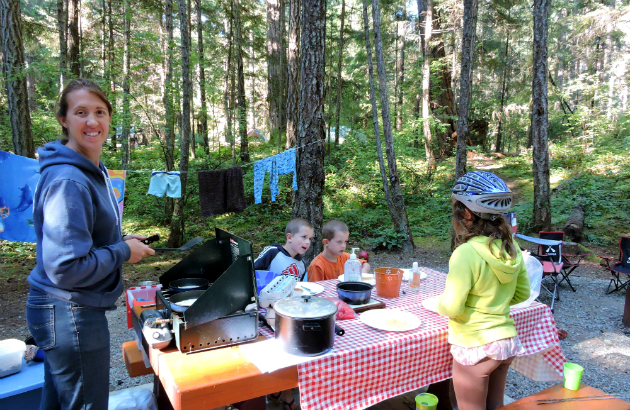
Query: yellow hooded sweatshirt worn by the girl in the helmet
x=480, y=287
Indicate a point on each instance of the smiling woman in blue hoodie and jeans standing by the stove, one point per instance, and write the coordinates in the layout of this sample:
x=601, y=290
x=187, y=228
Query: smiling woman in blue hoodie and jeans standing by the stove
x=80, y=252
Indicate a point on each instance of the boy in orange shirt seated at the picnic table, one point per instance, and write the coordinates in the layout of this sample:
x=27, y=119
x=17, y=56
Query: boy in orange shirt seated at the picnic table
x=329, y=264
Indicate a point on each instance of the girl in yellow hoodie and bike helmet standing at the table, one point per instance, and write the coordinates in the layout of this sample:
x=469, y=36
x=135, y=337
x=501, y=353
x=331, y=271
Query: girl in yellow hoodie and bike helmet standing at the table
x=486, y=275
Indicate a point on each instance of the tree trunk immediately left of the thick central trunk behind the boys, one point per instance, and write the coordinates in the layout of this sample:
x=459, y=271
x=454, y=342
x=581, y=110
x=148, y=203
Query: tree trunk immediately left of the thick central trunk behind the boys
x=293, y=81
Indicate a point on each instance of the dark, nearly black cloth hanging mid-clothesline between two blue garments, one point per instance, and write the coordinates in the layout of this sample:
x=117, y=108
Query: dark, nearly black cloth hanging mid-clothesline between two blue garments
x=221, y=191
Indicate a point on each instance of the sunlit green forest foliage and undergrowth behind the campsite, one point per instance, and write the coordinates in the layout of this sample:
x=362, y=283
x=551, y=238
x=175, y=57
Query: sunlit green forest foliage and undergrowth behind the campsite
x=588, y=126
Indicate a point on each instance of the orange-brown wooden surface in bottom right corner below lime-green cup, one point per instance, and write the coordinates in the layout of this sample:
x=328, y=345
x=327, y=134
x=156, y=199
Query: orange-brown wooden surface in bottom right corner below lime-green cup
x=559, y=392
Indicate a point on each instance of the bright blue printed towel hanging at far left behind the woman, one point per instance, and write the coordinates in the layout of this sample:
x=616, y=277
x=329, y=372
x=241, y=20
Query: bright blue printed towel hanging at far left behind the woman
x=19, y=181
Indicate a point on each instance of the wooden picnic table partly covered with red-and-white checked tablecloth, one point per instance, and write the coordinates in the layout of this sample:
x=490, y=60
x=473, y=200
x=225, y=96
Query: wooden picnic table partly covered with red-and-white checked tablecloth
x=365, y=366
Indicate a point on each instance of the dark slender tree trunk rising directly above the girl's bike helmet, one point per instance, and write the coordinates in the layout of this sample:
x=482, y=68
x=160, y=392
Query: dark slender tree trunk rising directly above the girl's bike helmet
x=465, y=88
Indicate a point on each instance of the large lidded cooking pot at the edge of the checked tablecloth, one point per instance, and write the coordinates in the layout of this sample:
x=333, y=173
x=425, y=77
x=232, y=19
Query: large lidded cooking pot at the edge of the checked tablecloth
x=306, y=325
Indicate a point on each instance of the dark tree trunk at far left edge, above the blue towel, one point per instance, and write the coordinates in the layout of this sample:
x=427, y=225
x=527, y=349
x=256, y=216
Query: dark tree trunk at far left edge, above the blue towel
x=14, y=78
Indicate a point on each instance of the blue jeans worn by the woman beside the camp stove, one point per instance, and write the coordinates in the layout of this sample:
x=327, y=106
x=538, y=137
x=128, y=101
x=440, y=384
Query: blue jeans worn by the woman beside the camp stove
x=76, y=342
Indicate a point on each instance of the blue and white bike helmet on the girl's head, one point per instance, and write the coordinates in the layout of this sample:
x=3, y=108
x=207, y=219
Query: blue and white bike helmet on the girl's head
x=485, y=194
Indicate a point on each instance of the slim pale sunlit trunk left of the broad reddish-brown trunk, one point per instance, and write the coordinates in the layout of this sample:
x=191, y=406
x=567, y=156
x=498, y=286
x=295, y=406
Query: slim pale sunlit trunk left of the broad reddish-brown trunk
x=426, y=83
